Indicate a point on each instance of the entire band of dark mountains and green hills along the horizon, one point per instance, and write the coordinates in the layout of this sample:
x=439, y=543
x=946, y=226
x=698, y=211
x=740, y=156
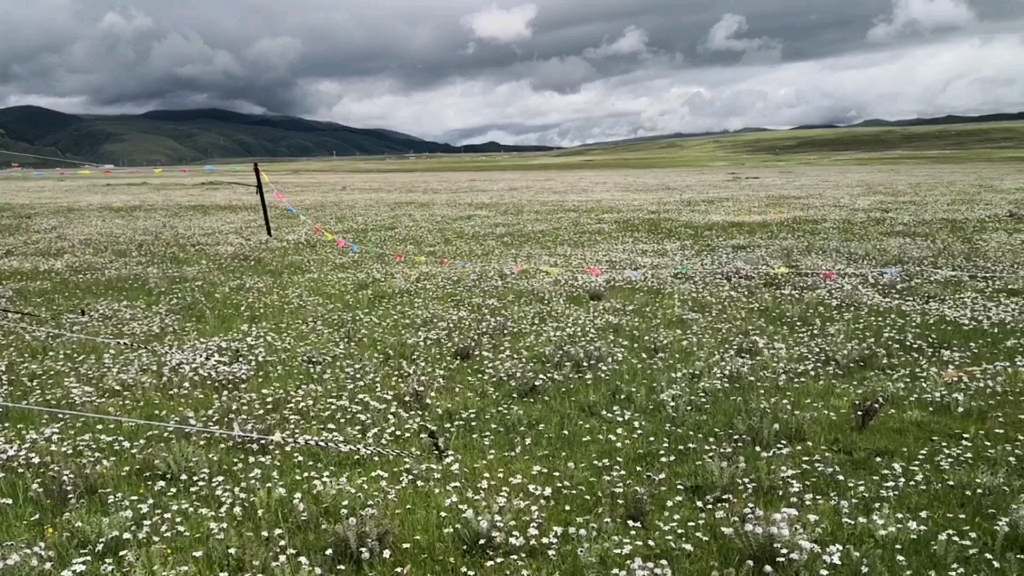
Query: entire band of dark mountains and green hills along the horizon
x=192, y=137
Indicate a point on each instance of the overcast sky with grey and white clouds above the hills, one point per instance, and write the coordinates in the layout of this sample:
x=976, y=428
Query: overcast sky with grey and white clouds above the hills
x=560, y=72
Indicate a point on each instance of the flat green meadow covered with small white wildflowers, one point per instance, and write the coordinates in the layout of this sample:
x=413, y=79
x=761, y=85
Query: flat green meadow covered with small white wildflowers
x=744, y=415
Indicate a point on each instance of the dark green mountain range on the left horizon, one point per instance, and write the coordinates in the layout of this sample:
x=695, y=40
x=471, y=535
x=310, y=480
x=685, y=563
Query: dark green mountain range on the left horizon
x=196, y=136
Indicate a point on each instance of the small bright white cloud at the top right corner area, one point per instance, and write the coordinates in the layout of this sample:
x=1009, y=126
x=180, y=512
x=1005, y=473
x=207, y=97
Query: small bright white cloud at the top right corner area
x=922, y=17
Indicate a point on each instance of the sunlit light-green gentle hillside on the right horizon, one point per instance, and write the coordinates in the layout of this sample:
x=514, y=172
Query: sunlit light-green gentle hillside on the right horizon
x=998, y=142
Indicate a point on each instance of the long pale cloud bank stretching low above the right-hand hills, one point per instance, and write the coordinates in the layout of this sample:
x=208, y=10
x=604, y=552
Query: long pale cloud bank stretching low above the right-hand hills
x=963, y=76
